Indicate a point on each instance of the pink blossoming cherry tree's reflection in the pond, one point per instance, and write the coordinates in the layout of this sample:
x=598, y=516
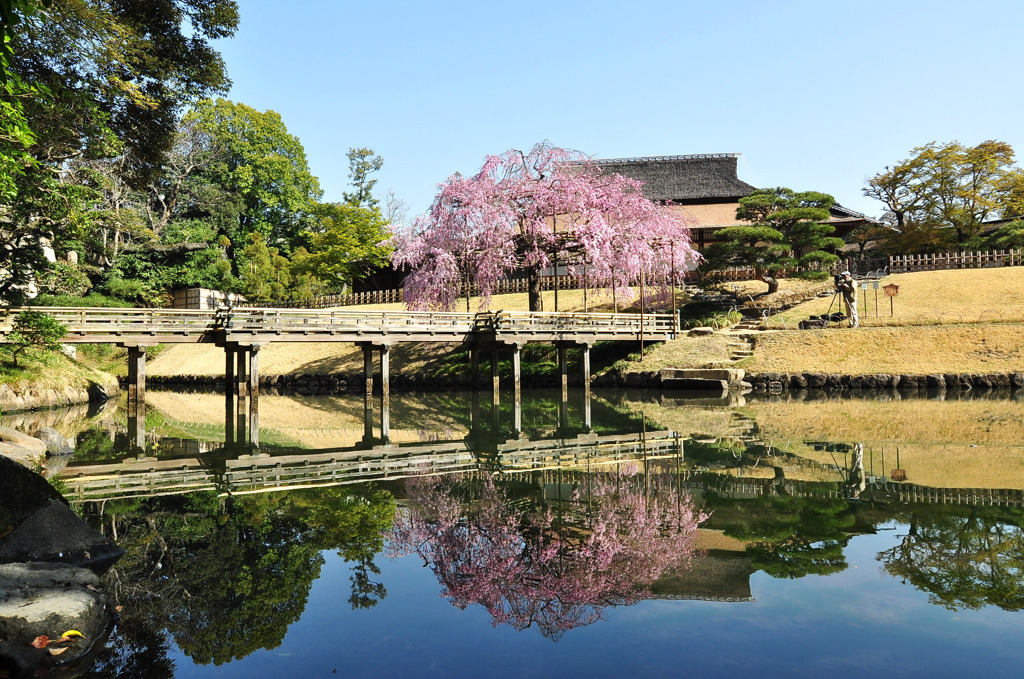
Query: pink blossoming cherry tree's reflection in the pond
x=558, y=567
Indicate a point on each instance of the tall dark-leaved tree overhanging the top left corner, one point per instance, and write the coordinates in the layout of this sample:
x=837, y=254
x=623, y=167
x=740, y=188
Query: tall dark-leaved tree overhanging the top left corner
x=95, y=81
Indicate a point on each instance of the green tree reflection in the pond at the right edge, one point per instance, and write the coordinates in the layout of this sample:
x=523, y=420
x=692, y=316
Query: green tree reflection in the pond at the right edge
x=963, y=558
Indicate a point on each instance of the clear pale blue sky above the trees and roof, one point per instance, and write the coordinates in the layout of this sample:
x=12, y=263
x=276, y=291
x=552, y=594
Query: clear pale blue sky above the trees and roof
x=816, y=96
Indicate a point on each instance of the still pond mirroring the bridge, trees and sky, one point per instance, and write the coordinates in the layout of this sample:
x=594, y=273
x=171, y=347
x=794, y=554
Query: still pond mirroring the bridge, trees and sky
x=614, y=534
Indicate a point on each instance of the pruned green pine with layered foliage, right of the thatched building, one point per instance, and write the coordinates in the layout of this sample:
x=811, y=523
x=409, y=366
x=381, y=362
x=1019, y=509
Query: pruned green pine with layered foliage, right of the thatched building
x=786, y=232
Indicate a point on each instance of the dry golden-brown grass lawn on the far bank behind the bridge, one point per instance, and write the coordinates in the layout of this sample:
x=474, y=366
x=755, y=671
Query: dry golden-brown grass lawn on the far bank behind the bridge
x=931, y=298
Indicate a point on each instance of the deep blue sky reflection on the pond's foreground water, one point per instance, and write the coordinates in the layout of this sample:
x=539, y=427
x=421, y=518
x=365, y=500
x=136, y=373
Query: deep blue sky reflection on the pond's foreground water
x=860, y=623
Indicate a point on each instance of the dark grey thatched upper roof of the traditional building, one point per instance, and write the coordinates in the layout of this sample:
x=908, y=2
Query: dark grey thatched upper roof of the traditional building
x=682, y=179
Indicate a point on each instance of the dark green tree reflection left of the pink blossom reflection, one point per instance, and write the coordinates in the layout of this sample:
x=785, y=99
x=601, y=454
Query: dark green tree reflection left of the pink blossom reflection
x=226, y=578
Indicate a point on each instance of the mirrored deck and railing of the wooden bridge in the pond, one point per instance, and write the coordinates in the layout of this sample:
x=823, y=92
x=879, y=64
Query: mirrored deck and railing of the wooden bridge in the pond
x=236, y=471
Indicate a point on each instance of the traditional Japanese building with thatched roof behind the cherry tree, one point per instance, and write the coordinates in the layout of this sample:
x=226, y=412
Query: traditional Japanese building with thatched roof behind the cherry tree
x=707, y=189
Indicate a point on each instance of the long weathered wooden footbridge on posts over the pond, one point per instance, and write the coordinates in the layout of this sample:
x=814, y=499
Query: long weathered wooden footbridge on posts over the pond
x=242, y=331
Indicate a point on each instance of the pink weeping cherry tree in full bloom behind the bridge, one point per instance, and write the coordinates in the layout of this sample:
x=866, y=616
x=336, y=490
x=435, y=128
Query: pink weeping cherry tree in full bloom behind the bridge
x=528, y=210
